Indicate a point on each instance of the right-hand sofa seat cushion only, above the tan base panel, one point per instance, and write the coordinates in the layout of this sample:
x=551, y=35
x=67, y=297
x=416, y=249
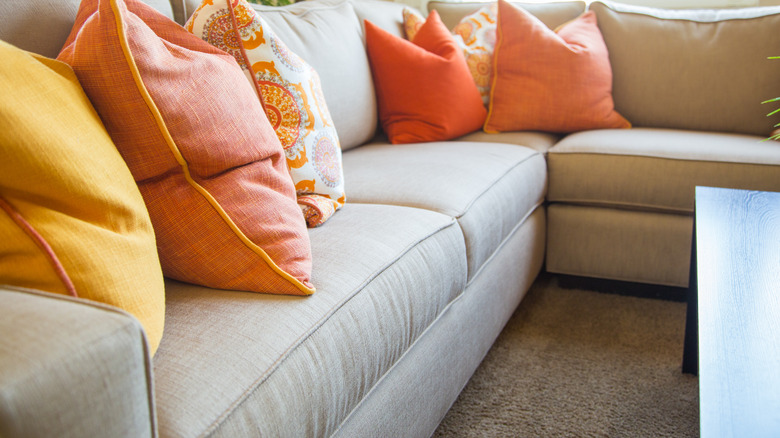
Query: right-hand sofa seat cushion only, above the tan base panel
x=657, y=169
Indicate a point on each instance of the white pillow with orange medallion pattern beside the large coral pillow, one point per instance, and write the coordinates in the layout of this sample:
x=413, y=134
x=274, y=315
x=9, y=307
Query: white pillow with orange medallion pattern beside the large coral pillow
x=292, y=96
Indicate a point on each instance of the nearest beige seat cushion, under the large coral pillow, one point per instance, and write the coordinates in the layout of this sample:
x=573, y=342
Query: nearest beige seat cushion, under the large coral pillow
x=241, y=364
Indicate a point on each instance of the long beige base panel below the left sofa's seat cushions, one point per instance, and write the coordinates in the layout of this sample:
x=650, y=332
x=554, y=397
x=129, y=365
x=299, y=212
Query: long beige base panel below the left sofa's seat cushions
x=419, y=391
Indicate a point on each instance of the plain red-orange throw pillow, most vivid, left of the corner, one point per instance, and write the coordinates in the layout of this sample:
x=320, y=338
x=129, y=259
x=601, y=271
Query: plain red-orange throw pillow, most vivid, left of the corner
x=424, y=87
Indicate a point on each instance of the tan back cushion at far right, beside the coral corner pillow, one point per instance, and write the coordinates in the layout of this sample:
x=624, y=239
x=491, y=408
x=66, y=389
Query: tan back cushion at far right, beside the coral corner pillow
x=716, y=72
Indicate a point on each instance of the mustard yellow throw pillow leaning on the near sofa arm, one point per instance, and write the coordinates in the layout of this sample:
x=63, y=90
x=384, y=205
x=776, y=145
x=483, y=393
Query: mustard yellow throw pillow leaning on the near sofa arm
x=71, y=218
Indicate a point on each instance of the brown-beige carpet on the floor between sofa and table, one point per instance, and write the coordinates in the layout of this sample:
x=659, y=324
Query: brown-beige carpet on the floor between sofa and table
x=577, y=363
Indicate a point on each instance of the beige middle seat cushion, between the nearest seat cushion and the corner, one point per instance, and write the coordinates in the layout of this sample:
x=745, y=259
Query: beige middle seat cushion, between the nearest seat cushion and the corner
x=489, y=188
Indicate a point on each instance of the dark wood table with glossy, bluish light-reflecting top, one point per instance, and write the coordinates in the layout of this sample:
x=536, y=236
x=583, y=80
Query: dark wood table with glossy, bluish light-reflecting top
x=734, y=312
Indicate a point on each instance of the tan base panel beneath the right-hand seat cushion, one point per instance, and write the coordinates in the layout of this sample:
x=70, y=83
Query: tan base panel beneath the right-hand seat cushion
x=619, y=244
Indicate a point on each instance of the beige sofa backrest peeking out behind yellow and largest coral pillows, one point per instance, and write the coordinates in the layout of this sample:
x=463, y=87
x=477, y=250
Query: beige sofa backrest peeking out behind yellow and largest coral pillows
x=41, y=26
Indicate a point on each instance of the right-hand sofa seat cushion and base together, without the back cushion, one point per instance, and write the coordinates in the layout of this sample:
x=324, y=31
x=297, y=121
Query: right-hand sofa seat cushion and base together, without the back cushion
x=622, y=201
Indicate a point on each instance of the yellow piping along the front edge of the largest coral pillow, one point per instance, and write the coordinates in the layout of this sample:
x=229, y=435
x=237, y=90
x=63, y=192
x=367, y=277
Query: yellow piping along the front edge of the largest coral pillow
x=183, y=163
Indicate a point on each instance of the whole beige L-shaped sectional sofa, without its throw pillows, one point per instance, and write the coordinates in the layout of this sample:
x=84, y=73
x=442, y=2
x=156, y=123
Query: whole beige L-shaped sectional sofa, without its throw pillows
x=435, y=248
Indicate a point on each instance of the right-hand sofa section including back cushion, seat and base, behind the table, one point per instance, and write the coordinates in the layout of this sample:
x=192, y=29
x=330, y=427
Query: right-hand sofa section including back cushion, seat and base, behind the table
x=692, y=83
